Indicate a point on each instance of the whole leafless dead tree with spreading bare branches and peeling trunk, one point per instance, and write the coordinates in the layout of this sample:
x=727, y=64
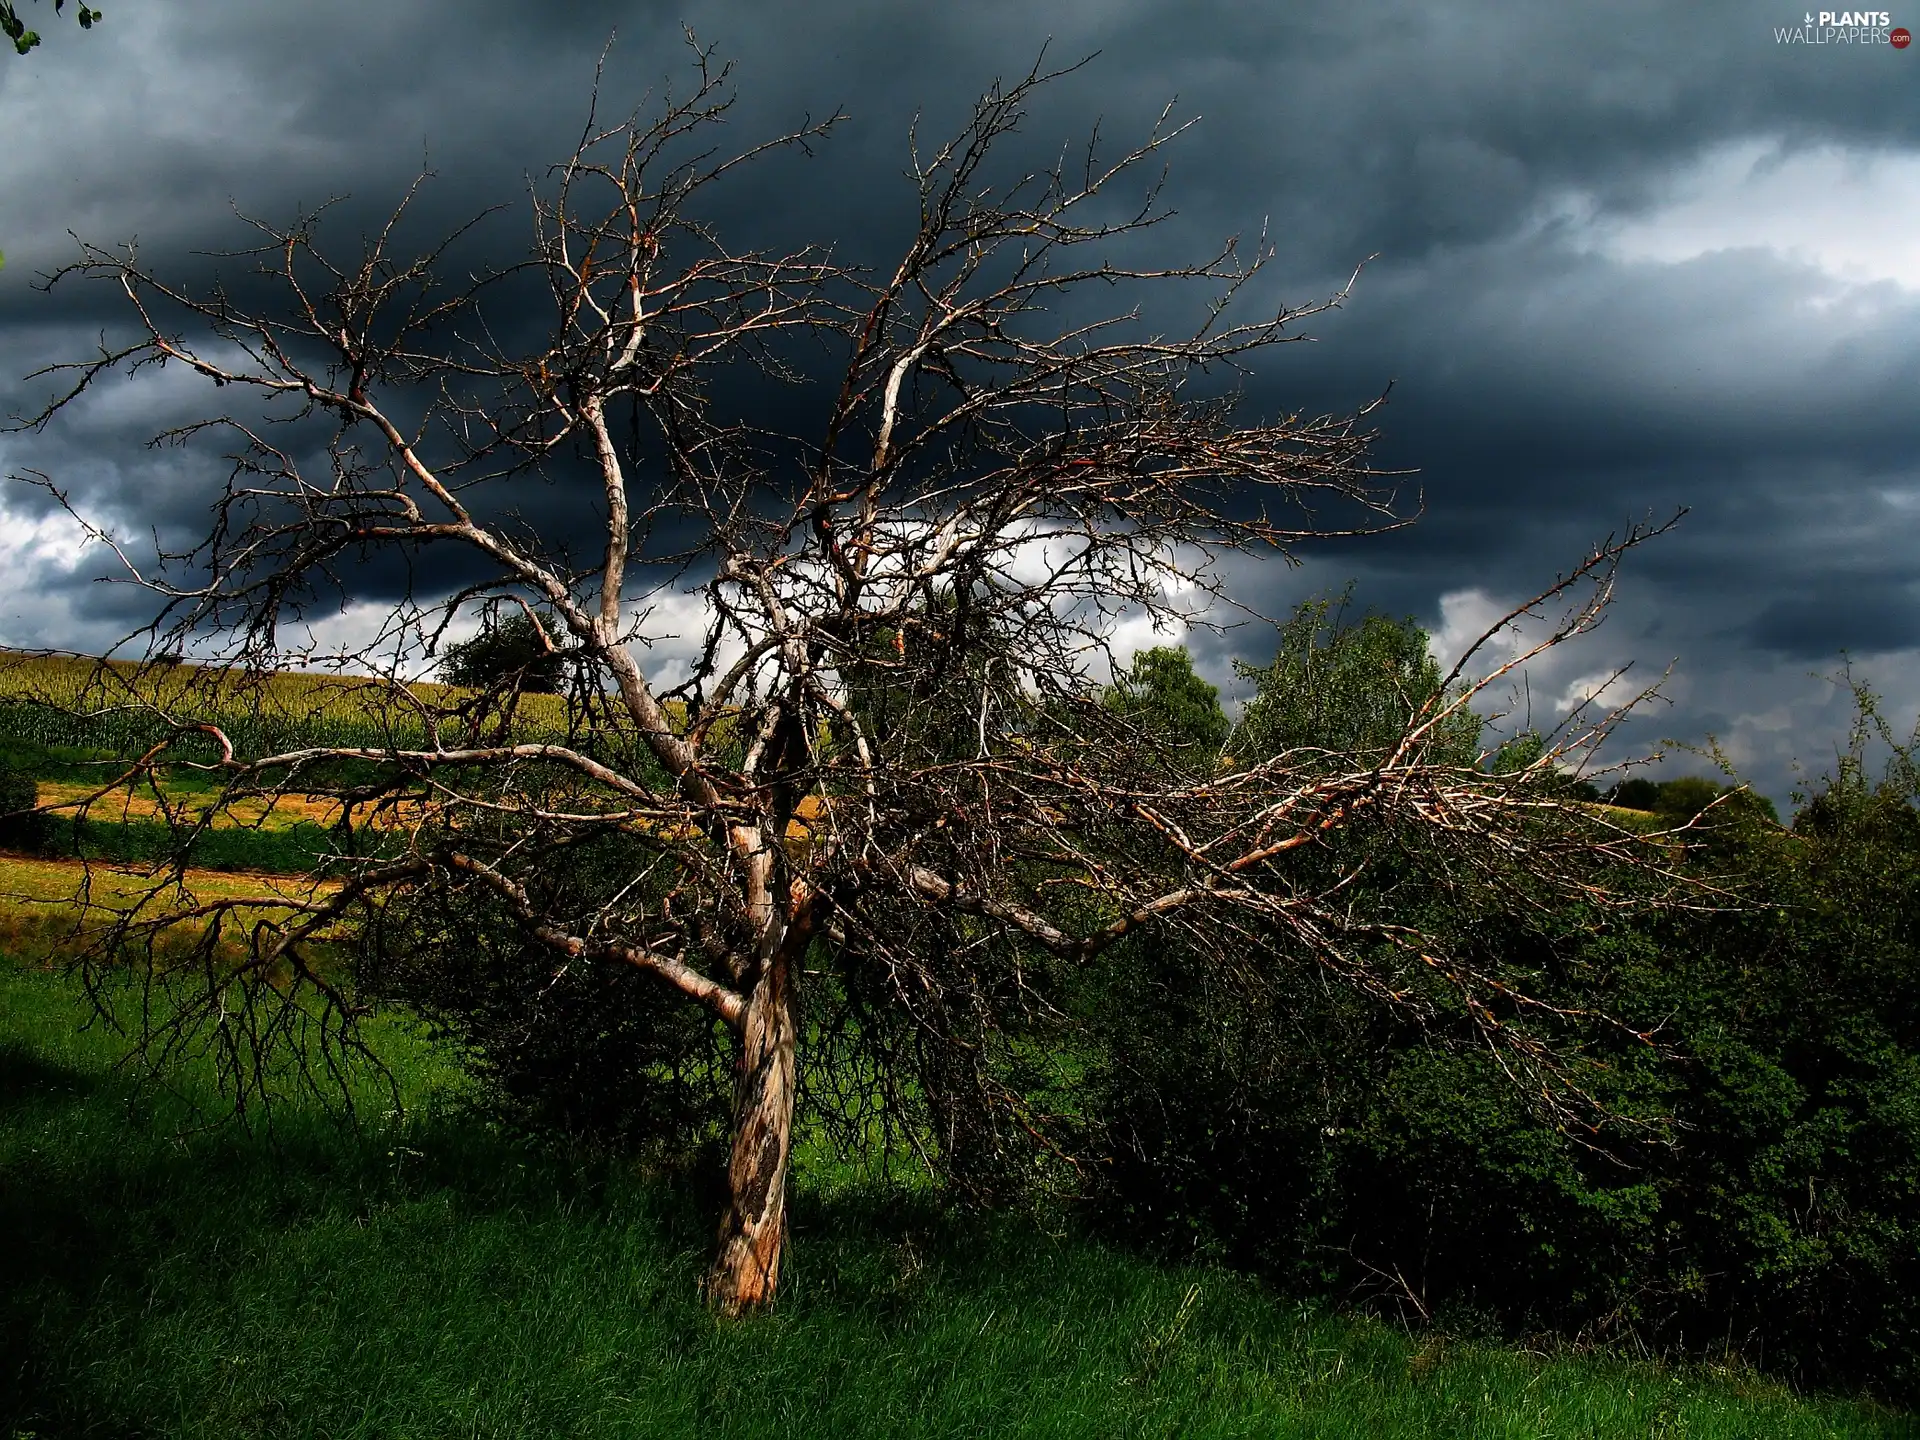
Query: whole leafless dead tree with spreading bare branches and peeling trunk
x=905, y=613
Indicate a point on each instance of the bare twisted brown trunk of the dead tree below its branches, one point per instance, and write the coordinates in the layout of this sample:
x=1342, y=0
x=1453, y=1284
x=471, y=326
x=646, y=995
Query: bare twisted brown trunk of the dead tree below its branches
x=756, y=1228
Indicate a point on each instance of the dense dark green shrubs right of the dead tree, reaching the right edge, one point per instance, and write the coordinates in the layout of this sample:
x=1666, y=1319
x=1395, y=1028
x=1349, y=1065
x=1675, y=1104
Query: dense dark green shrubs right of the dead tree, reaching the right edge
x=1297, y=1132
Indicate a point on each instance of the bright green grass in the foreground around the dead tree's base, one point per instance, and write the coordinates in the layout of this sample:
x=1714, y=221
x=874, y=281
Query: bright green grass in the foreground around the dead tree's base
x=429, y=1276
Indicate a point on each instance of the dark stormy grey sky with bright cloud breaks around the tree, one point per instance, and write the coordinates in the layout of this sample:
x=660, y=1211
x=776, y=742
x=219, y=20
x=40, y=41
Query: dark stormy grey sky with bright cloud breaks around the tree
x=1631, y=258
